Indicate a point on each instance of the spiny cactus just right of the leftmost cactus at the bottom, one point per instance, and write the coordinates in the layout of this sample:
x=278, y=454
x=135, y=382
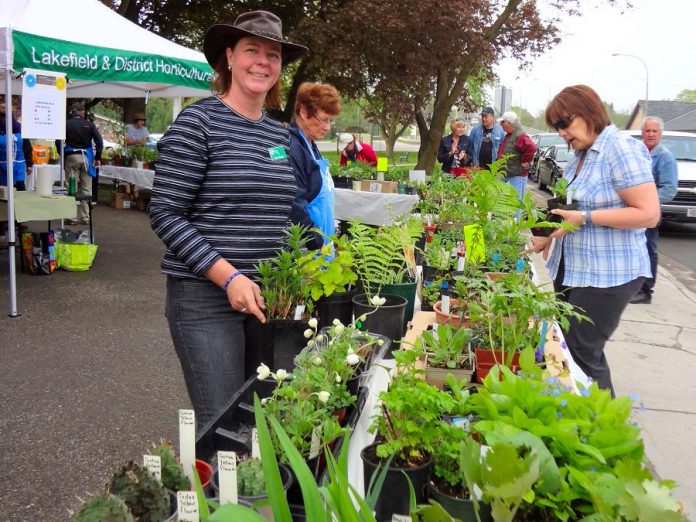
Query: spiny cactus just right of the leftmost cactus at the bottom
x=144, y=495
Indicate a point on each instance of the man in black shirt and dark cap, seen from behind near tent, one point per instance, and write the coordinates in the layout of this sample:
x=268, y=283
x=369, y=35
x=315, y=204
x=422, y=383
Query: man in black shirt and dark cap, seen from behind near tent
x=80, y=158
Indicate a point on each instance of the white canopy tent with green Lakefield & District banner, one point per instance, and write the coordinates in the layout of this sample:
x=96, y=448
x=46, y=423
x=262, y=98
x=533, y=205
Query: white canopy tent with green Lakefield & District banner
x=103, y=55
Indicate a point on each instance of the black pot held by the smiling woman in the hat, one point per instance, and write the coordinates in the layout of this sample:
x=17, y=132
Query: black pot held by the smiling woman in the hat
x=275, y=343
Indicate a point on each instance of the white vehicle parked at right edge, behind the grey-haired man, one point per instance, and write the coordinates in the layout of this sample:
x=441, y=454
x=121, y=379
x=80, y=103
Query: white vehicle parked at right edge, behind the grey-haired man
x=683, y=146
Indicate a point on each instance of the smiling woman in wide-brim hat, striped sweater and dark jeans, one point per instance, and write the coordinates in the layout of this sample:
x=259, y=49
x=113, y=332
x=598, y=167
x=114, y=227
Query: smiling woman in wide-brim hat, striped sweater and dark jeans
x=221, y=201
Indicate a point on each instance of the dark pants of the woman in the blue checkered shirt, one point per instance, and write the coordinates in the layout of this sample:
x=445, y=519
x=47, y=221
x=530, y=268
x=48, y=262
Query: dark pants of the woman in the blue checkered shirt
x=586, y=340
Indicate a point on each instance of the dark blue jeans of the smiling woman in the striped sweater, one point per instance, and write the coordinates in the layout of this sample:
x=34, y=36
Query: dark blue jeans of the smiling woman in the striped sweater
x=209, y=340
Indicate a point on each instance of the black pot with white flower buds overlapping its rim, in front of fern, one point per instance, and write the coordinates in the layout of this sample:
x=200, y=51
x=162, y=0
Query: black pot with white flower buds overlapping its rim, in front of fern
x=387, y=320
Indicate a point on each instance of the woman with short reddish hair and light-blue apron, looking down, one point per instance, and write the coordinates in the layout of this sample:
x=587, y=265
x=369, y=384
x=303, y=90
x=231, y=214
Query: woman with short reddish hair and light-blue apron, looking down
x=316, y=107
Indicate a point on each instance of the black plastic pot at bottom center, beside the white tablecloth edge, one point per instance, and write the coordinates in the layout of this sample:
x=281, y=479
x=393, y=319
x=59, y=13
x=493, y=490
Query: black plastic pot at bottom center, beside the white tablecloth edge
x=394, y=495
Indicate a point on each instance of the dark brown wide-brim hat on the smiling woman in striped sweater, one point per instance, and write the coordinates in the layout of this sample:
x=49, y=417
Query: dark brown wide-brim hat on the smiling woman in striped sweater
x=261, y=24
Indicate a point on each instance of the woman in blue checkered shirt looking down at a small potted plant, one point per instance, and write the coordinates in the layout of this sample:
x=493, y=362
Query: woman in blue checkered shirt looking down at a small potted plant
x=600, y=266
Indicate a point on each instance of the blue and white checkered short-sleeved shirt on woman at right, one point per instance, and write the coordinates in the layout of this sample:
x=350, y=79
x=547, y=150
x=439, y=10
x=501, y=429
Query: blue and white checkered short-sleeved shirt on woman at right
x=595, y=255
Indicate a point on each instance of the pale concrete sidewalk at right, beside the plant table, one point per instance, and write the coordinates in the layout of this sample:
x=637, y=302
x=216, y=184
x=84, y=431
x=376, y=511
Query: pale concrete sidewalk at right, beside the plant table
x=653, y=359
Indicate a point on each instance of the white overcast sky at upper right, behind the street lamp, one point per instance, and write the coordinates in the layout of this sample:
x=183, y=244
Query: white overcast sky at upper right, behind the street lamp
x=661, y=32
